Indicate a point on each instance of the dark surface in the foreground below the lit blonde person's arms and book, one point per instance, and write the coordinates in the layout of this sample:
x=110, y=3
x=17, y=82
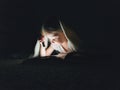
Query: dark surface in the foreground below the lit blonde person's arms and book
x=75, y=73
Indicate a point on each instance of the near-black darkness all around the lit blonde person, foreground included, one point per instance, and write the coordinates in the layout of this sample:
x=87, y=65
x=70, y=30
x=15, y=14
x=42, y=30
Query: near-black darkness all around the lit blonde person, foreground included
x=97, y=24
